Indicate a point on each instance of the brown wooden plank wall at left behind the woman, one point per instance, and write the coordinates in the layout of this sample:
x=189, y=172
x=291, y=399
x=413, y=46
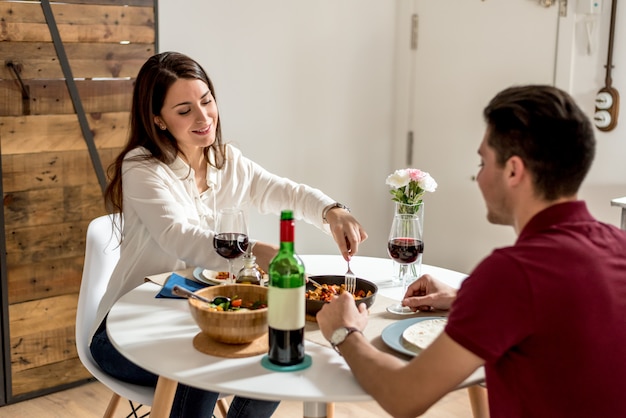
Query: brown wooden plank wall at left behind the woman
x=51, y=191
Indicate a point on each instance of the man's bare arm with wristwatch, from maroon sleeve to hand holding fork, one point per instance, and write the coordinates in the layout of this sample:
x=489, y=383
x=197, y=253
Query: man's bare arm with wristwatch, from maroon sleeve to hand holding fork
x=402, y=389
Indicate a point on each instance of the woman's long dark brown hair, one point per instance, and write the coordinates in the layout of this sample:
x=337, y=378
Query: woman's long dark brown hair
x=155, y=78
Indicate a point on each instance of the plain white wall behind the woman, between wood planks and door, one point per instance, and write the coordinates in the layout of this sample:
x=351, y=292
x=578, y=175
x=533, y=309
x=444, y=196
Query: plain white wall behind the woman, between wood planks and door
x=304, y=88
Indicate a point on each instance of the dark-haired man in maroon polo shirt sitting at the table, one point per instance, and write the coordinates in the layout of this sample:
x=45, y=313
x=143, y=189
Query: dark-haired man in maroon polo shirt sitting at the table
x=547, y=316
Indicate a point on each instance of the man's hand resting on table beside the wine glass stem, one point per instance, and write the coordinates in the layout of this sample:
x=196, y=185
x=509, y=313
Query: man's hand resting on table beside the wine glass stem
x=428, y=293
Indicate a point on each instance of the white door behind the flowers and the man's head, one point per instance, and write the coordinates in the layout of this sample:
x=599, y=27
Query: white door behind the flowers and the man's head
x=467, y=50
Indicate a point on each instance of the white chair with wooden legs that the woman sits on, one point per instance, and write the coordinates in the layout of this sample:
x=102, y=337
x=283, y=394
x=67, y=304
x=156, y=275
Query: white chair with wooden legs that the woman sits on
x=101, y=255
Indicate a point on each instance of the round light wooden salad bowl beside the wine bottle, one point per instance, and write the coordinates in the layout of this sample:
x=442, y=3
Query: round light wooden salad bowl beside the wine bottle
x=231, y=327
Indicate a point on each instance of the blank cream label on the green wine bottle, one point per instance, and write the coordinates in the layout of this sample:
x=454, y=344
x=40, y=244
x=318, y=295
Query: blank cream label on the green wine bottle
x=286, y=308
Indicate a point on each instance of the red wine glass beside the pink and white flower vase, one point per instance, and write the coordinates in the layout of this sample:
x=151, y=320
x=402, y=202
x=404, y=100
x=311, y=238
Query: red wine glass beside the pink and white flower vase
x=405, y=246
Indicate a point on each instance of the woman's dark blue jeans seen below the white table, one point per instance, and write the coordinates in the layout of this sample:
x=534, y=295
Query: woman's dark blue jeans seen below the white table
x=189, y=402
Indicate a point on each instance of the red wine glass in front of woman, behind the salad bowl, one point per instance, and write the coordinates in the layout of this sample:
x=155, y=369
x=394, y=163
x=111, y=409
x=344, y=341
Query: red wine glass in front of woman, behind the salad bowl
x=231, y=236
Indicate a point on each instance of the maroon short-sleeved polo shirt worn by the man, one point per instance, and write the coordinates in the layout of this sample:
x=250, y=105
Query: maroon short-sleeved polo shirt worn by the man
x=548, y=315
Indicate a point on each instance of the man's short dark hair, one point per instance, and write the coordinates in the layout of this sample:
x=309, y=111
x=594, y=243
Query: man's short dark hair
x=545, y=128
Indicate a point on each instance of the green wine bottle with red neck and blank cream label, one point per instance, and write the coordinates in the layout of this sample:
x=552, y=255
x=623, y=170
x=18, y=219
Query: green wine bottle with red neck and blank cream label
x=286, y=299
